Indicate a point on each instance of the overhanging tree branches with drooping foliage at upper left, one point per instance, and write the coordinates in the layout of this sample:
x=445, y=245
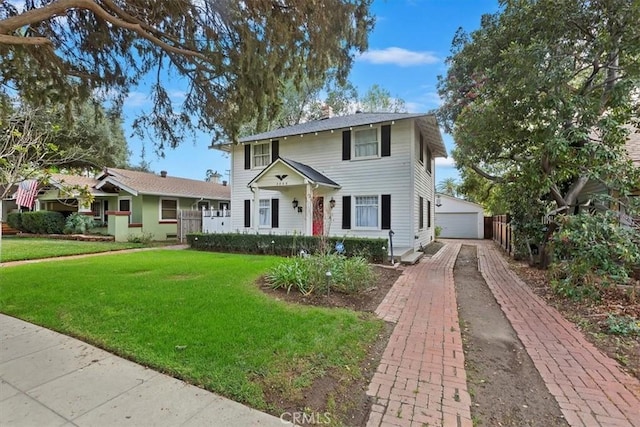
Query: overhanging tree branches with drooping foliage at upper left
x=235, y=56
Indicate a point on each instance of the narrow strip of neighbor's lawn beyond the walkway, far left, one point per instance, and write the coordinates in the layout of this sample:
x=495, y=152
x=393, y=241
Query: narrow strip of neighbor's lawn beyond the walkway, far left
x=19, y=248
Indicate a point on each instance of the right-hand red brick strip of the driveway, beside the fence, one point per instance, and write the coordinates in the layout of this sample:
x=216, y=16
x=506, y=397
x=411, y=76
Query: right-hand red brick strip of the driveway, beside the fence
x=589, y=386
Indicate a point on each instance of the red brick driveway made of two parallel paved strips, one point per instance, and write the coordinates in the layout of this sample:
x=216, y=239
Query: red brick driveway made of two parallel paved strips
x=421, y=378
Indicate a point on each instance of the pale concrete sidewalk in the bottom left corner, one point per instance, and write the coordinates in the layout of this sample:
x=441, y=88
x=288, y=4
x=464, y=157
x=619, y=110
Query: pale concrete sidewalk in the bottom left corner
x=49, y=379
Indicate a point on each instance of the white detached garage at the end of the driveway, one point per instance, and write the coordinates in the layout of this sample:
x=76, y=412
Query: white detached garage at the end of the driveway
x=458, y=218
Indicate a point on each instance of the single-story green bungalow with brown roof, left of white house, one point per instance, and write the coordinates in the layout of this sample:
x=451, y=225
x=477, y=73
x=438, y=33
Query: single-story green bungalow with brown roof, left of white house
x=131, y=202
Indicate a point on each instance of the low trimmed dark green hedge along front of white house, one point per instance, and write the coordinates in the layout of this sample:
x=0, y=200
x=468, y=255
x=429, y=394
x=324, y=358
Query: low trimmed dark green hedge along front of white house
x=374, y=250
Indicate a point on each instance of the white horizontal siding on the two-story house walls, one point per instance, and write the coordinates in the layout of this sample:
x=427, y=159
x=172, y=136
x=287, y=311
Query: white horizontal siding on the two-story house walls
x=393, y=175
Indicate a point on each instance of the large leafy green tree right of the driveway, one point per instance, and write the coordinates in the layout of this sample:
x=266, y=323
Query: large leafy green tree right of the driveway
x=541, y=105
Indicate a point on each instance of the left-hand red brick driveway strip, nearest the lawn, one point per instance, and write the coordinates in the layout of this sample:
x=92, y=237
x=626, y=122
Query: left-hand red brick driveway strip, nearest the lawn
x=421, y=378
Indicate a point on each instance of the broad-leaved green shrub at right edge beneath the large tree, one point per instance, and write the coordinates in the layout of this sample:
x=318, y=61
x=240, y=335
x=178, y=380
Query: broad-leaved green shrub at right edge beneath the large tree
x=591, y=252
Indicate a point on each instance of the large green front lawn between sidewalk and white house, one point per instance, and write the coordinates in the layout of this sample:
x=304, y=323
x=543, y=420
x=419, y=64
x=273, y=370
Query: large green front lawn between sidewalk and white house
x=195, y=315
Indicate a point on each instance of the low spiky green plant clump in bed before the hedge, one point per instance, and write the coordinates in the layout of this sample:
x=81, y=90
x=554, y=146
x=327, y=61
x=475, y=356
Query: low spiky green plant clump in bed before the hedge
x=309, y=274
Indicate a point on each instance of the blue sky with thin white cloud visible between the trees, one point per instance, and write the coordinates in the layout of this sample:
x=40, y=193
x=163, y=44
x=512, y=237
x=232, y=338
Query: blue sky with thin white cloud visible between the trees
x=407, y=50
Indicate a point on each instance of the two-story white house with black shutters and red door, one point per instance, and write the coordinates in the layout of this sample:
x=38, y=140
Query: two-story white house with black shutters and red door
x=361, y=175
